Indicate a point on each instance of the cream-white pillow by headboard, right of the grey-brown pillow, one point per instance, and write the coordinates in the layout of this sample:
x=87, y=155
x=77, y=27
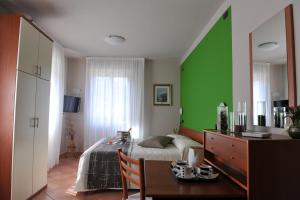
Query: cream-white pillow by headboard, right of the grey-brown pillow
x=183, y=143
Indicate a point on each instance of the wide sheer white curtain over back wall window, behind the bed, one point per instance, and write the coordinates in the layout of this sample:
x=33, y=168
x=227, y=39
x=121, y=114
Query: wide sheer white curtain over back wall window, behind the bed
x=114, y=97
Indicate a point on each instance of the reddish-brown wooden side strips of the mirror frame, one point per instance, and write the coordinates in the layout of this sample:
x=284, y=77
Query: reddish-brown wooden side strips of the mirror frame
x=291, y=61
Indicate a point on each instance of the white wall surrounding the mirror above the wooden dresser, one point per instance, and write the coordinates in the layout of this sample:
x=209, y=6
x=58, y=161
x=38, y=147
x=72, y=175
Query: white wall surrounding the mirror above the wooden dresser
x=246, y=17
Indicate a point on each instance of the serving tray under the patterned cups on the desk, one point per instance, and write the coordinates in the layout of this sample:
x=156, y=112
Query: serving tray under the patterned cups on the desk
x=195, y=177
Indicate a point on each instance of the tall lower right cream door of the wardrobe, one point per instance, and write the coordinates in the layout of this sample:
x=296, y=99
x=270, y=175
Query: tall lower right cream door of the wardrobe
x=40, y=156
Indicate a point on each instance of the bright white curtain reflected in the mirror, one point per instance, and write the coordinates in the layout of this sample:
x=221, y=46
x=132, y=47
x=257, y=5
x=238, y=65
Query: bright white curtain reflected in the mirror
x=262, y=91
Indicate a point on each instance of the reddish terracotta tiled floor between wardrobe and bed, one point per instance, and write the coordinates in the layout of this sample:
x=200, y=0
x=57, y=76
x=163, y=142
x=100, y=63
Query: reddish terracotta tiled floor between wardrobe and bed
x=61, y=181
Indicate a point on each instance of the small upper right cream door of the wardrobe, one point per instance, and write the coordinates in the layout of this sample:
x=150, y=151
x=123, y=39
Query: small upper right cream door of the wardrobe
x=45, y=57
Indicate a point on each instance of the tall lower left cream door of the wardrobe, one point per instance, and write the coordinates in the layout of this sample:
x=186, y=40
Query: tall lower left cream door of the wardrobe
x=23, y=136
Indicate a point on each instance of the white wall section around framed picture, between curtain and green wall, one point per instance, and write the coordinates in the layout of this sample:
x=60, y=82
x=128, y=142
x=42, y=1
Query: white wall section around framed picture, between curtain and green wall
x=161, y=120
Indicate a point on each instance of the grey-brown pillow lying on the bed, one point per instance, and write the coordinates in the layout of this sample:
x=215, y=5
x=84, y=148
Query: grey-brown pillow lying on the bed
x=156, y=142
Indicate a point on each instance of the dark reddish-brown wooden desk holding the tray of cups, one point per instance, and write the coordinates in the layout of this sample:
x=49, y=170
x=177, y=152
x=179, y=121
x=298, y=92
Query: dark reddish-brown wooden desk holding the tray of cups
x=161, y=184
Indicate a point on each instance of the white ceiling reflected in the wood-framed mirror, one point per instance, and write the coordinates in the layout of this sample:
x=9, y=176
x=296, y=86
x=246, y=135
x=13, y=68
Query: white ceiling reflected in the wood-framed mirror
x=271, y=31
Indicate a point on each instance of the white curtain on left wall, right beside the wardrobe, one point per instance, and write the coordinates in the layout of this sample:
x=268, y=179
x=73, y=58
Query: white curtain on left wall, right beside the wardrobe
x=56, y=104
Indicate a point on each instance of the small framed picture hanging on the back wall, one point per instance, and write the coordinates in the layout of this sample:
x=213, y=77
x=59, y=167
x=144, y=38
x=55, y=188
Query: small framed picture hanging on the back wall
x=162, y=94
